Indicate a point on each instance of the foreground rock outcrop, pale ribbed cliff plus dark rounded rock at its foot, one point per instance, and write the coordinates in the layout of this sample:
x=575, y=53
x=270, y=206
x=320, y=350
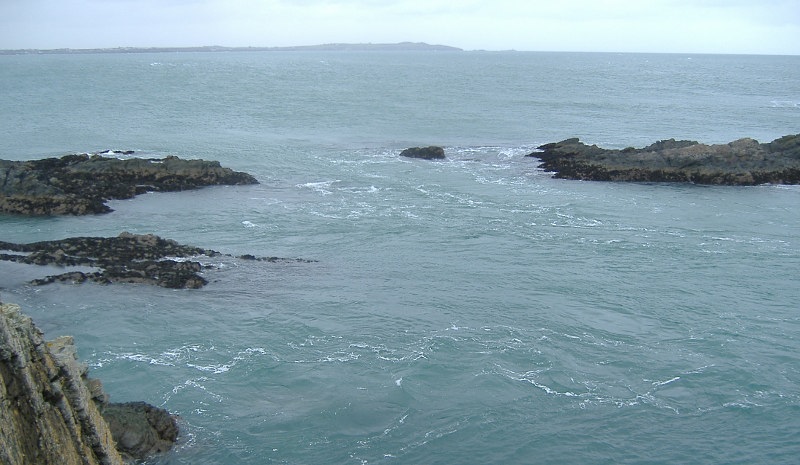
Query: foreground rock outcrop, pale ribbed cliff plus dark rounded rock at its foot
x=52, y=413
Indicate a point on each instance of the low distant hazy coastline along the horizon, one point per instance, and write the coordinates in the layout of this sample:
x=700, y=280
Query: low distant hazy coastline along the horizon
x=401, y=46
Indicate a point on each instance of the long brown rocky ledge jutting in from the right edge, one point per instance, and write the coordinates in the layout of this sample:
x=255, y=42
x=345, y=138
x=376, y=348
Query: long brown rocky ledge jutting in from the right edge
x=742, y=162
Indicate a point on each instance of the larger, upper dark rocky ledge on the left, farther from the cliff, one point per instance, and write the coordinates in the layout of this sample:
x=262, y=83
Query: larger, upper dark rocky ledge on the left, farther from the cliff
x=81, y=184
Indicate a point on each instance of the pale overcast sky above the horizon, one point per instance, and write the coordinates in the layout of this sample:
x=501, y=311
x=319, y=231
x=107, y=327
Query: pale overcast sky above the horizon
x=662, y=26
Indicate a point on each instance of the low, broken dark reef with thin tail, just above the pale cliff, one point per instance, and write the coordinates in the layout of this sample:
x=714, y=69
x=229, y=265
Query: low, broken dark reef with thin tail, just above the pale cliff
x=127, y=258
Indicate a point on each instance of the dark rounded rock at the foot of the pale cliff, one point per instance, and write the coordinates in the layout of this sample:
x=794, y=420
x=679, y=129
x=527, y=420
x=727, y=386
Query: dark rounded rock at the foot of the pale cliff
x=140, y=430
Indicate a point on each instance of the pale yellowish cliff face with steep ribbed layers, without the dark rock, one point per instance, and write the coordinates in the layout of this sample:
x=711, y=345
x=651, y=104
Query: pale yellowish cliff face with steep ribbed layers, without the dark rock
x=47, y=412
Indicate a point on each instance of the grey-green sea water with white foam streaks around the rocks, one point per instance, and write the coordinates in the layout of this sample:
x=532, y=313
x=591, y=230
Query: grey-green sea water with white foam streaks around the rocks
x=468, y=311
